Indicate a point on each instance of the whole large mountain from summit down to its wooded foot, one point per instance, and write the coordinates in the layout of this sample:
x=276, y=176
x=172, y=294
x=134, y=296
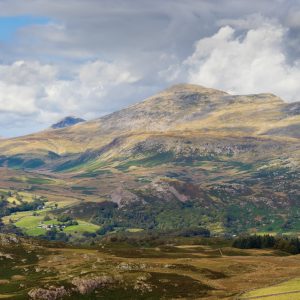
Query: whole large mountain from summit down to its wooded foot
x=188, y=156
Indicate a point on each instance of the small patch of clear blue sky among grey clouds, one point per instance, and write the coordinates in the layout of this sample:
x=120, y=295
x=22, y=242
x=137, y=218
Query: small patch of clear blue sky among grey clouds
x=10, y=25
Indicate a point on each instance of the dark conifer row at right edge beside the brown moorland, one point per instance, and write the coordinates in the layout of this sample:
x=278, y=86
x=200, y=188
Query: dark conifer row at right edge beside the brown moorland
x=283, y=243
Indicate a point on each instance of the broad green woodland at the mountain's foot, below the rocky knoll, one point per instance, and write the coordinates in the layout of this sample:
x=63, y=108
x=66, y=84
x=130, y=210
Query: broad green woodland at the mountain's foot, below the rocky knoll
x=153, y=214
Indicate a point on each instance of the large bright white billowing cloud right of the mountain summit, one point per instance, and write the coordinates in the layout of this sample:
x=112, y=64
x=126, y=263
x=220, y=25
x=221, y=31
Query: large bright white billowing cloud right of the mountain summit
x=253, y=62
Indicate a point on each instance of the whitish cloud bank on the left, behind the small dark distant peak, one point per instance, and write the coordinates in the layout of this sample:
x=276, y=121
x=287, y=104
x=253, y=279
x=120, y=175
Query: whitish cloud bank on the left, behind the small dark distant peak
x=43, y=93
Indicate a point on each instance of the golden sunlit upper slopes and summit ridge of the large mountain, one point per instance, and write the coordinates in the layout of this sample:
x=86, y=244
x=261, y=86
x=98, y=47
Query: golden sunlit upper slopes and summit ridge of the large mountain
x=180, y=108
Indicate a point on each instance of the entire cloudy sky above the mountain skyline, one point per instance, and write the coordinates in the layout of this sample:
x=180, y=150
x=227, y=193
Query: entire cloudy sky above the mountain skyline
x=91, y=57
